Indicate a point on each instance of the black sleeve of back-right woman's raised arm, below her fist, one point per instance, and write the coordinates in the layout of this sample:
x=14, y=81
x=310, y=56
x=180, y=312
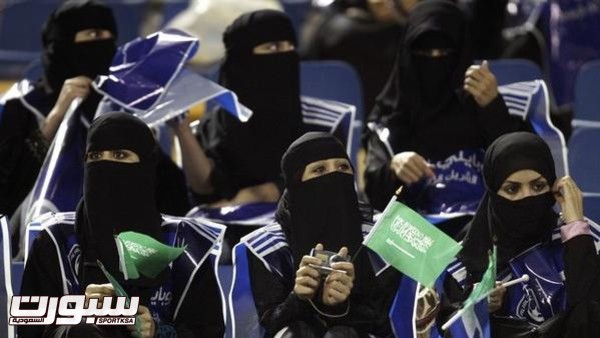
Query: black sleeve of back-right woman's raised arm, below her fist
x=496, y=120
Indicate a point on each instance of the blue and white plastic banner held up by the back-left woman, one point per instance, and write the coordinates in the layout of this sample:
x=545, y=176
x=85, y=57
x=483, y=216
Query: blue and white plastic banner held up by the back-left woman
x=148, y=78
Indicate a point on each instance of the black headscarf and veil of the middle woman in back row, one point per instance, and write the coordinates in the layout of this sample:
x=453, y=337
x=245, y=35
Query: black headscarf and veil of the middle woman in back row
x=267, y=84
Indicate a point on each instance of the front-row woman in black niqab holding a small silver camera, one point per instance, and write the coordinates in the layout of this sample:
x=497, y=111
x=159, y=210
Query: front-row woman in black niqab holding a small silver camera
x=322, y=209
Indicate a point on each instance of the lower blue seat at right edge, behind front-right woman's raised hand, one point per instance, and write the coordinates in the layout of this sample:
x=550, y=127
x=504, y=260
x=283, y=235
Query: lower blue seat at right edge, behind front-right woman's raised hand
x=584, y=159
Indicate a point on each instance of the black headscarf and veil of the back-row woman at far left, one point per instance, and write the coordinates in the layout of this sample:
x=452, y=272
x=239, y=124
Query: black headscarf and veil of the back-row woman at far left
x=62, y=57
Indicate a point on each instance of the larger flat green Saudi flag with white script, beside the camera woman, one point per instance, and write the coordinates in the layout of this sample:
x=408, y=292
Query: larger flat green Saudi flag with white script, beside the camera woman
x=411, y=244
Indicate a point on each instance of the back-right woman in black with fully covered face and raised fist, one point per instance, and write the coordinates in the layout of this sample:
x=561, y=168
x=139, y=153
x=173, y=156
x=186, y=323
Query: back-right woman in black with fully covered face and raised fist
x=428, y=105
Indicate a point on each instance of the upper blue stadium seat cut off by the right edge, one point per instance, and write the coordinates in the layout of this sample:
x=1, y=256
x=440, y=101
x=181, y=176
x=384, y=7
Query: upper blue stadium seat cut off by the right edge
x=587, y=100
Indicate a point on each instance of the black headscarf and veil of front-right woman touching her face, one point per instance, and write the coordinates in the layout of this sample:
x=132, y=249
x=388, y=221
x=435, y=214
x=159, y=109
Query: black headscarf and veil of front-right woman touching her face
x=517, y=225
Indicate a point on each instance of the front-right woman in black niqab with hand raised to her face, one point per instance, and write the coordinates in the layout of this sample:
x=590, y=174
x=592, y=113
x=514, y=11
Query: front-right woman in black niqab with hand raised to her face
x=517, y=219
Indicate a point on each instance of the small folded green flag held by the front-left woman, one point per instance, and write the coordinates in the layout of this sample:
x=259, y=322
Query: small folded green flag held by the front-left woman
x=142, y=254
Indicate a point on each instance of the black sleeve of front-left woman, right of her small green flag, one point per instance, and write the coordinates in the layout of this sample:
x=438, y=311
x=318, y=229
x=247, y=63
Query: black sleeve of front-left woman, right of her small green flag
x=201, y=314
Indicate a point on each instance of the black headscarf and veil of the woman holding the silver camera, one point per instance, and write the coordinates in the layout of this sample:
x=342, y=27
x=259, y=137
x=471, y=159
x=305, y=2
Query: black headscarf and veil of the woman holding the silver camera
x=323, y=209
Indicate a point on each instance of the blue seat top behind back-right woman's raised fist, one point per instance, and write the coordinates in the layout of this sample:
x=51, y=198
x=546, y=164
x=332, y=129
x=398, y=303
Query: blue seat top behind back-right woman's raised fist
x=515, y=70
